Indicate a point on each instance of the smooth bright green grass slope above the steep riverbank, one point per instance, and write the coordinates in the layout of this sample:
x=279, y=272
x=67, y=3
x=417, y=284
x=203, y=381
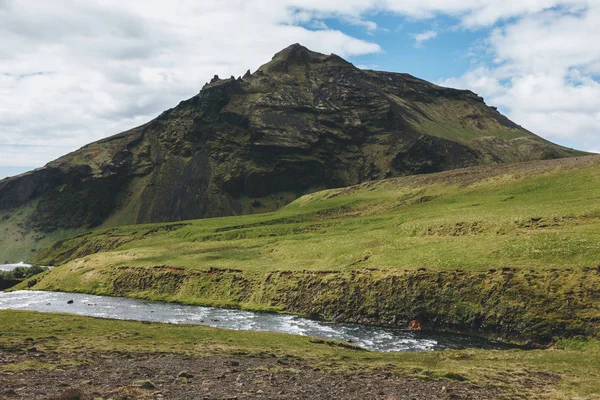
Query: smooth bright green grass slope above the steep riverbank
x=517, y=218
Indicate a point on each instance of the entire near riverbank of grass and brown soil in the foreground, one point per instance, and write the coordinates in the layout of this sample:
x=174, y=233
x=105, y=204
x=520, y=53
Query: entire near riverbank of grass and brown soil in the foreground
x=43, y=355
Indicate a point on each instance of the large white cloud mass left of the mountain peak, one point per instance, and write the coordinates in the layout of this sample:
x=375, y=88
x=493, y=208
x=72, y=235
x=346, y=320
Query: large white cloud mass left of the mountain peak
x=72, y=72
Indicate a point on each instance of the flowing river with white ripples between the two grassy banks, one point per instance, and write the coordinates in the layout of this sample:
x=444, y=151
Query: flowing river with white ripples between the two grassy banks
x=367, y=336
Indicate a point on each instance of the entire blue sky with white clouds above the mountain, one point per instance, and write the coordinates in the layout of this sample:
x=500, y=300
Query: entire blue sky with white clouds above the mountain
x=75, y=71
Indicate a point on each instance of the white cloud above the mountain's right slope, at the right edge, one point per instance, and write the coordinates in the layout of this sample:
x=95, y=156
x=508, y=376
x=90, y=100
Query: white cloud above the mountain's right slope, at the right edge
x=544, y=74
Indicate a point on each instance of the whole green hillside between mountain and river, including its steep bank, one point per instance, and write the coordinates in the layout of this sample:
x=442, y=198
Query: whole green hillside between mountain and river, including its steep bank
x=508, y=252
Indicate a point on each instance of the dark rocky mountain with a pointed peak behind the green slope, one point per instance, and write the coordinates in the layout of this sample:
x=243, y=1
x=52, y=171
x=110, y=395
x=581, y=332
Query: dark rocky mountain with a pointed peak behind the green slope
x=302, y=122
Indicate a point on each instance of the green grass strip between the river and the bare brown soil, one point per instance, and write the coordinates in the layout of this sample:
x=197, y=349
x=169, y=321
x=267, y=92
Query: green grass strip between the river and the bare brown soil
x=569, y=370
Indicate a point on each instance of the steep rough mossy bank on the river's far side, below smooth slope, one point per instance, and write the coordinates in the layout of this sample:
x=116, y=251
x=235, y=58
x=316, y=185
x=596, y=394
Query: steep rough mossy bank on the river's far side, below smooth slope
x=533, y=307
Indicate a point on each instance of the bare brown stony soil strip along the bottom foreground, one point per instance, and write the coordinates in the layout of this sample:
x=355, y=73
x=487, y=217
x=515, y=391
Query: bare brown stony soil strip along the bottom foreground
x=167, y=376
